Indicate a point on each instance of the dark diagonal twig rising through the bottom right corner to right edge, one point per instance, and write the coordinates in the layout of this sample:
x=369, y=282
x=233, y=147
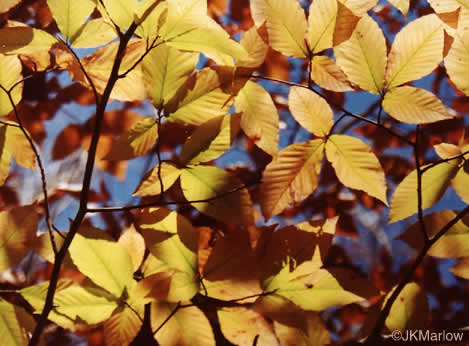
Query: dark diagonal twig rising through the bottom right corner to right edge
x=374, y=336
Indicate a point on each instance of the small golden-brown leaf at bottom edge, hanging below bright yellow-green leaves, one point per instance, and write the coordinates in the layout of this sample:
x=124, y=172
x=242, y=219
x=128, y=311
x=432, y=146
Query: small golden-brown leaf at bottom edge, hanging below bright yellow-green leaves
x=123, y=326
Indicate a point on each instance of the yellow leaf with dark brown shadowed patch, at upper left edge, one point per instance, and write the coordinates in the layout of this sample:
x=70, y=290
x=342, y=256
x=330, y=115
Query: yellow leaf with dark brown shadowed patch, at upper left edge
x=34, y=44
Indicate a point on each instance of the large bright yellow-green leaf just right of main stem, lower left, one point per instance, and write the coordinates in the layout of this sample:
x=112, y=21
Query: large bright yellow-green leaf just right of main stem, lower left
x=106, y=263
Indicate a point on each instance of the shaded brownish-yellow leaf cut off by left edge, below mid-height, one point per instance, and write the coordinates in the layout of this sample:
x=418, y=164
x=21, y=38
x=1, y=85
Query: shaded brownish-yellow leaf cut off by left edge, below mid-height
x=18, y=228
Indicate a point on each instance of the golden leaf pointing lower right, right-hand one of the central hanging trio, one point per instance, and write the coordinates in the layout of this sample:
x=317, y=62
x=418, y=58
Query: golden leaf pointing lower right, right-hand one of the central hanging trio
x=356, y=165
